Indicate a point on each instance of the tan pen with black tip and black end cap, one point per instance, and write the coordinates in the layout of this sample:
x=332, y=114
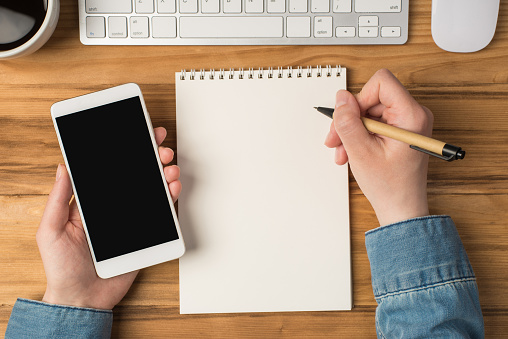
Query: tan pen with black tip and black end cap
x=416, y=141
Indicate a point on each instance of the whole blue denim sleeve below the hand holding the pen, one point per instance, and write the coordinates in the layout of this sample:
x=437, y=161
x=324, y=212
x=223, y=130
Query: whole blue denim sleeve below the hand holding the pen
x=423, y=282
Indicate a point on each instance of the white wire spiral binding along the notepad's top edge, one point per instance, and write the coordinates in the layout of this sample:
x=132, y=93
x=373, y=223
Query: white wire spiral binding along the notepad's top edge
x=260, y=73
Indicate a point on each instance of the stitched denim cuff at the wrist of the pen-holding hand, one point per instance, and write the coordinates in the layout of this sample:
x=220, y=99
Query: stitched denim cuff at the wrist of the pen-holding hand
x=415, y=254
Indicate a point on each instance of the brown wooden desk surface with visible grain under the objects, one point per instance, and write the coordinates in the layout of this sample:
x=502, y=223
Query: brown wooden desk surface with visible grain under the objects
x=468, y=94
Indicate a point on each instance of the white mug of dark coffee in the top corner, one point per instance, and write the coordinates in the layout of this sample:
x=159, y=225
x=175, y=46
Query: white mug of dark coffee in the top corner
x=24, y=29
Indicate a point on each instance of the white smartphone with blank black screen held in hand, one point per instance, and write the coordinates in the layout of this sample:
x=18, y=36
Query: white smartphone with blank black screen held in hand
x=109, y=148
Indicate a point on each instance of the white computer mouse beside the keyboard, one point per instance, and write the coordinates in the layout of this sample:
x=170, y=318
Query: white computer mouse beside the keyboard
x=464, y=25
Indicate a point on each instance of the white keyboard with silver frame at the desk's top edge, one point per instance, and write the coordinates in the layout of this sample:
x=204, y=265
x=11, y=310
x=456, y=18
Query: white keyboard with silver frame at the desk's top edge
x=243, y=22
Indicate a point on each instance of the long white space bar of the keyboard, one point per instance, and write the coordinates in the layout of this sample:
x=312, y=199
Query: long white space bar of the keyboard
x=231, y=27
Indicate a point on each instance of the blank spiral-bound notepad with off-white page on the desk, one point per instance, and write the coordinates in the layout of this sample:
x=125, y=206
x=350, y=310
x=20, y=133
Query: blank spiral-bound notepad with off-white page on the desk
x=264, y=209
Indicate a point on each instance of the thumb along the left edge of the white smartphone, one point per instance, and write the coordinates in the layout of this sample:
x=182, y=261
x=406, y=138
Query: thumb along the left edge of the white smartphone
x=56, y=213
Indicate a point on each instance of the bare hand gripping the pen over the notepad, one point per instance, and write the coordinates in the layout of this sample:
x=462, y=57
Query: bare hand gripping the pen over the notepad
x=391, y=175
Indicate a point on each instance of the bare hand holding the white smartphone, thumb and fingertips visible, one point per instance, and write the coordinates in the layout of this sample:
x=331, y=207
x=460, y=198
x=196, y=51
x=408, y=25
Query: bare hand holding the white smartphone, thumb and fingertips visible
x=70, y=273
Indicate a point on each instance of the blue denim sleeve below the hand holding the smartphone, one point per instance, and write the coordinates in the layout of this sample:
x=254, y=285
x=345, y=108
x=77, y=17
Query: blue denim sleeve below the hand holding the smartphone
x=35, y=319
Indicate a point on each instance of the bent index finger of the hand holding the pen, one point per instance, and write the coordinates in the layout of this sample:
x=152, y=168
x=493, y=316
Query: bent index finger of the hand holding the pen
x=383, y=88
